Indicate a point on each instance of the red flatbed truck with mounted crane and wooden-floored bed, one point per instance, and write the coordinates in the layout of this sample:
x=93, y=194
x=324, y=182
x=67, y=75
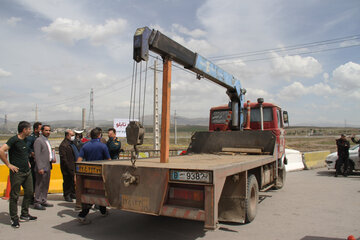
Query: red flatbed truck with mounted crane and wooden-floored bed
x=222, y=172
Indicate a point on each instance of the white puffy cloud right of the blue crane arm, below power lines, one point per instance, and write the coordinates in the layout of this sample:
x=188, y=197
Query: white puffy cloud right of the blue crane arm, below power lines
x=295, y=66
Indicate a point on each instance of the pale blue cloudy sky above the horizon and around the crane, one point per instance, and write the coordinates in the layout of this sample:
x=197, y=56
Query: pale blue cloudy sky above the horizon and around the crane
x=301, y=55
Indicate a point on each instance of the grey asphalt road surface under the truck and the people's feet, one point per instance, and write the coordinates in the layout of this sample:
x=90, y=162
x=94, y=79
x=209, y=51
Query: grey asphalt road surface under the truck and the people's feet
x=312, y=205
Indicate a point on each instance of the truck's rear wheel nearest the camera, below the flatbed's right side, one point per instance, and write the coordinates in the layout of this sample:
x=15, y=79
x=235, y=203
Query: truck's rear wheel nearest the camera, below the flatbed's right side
x=252, y=199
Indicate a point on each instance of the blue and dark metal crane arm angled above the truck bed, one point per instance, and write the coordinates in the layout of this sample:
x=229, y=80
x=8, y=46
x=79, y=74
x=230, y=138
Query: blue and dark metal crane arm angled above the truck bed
x=146, y=39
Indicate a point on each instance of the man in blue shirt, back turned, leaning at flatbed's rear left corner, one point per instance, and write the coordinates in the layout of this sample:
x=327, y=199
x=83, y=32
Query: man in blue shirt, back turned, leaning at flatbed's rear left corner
x=93, y=151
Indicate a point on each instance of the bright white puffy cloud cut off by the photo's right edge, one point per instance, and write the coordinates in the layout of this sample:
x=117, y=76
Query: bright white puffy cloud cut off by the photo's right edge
x=347, y=76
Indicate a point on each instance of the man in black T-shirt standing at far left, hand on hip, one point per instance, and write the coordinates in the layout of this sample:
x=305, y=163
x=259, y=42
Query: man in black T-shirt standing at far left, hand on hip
x=20, y=173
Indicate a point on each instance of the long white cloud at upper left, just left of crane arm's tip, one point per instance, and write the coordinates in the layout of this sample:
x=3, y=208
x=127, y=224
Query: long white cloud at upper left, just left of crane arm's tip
x=70, y=31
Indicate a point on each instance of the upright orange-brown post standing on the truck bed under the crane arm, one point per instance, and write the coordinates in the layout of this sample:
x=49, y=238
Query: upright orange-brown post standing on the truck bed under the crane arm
x=165, y=112
